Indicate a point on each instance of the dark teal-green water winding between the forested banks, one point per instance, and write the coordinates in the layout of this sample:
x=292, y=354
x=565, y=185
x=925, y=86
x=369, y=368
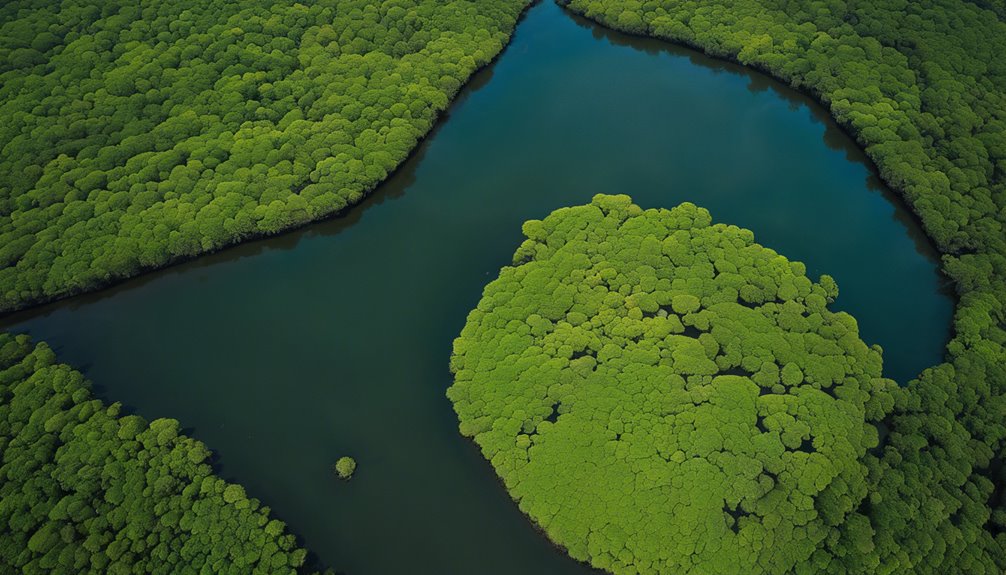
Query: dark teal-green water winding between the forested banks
x=283, y=355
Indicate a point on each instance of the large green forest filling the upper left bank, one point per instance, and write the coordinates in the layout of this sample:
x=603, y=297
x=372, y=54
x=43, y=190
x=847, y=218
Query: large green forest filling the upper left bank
x=133, y=134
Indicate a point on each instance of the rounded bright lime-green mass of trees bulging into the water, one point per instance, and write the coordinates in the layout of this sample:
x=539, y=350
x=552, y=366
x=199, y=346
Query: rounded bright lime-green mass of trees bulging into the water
x=663, y=396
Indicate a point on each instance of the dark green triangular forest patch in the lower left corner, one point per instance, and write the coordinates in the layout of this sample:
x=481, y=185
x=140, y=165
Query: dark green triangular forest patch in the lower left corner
x=86, y=490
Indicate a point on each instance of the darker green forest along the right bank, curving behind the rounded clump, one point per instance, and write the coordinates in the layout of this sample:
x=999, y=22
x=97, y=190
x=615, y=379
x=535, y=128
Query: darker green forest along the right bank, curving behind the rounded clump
x=922, y=86
